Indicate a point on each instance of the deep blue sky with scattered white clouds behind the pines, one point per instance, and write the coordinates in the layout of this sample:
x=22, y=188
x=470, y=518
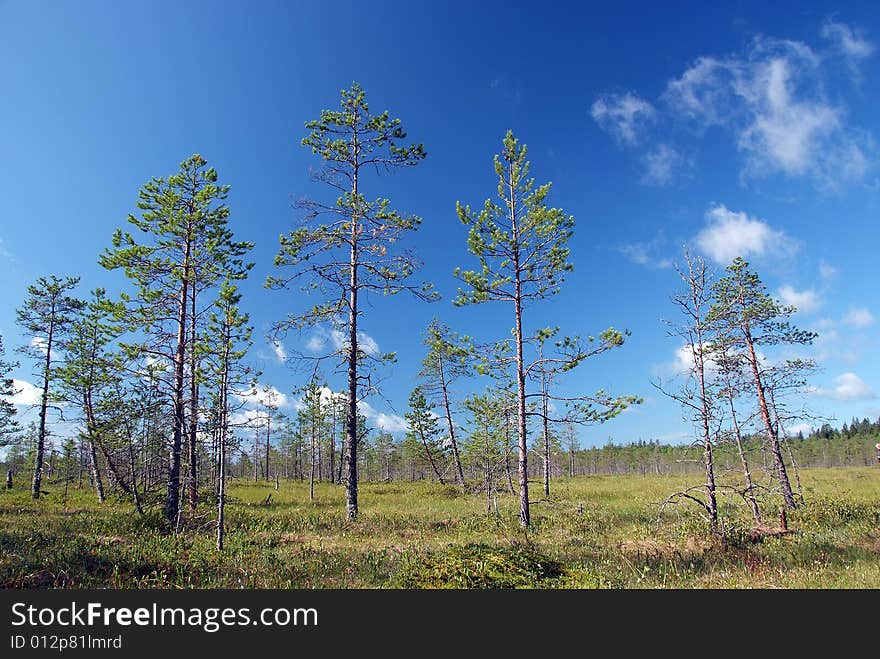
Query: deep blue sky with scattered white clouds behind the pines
x=744, y=128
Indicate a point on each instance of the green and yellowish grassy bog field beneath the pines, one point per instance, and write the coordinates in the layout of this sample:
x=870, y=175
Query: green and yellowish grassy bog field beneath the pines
x=413, y=535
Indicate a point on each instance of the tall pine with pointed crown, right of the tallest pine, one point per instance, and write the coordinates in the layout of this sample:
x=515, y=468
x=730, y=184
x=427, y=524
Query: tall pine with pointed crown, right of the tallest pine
x=522, y=248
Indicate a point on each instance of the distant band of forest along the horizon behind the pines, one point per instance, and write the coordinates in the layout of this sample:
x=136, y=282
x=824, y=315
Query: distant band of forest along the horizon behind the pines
x=383, y=458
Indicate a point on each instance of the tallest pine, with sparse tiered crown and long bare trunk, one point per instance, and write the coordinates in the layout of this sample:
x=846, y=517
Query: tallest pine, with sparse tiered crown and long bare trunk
x=347, y=248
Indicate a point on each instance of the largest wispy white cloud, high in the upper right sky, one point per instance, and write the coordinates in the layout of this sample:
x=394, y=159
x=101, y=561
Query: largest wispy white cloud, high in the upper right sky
x=772, y=99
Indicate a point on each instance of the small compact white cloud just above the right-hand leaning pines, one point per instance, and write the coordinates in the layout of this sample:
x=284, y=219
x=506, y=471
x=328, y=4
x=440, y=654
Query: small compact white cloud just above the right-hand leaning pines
x=730, y=234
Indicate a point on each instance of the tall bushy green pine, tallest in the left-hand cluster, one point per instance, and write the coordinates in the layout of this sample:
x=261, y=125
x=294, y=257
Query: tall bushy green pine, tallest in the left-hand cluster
x=187, y=247
